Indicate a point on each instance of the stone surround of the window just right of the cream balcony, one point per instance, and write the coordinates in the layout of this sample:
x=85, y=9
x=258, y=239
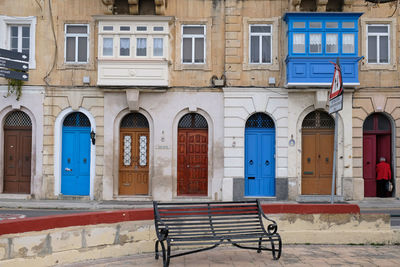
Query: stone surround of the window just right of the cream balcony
x=178, y=45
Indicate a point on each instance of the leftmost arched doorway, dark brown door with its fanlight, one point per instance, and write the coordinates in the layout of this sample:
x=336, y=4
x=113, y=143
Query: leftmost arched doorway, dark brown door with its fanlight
x=17, y=153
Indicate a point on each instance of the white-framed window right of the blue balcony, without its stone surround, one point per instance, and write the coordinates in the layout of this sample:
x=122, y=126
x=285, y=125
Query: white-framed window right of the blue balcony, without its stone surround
x=378, y=43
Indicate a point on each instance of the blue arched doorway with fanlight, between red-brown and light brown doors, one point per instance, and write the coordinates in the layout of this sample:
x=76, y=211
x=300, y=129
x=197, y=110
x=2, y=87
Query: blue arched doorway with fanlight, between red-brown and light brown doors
x=260, y=156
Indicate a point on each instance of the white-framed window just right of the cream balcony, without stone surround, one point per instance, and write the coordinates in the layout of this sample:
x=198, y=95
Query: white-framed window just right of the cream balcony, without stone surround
x=193, y=44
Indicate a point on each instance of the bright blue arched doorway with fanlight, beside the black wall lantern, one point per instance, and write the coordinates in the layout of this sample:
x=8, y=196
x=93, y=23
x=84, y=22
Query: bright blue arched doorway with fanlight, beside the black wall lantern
x=75, y=163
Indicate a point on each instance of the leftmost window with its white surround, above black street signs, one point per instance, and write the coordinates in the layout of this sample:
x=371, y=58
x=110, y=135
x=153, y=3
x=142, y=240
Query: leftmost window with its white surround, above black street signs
x=18, y=34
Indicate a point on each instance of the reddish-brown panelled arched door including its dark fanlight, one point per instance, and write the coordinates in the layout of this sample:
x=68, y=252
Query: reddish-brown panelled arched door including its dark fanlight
x=192, y=155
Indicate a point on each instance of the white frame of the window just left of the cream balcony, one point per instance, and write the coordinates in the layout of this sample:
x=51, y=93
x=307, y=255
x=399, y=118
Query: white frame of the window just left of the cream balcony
x=76, y=36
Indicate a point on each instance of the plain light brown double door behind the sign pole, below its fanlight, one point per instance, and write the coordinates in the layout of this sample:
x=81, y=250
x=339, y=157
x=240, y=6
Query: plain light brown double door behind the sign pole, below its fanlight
x=317, y=159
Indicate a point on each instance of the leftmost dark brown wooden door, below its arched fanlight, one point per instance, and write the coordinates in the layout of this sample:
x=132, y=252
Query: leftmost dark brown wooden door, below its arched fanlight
x=17, y=160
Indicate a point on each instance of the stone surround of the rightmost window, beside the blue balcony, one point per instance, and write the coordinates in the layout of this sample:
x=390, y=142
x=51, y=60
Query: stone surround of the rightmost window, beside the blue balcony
x=392, y=44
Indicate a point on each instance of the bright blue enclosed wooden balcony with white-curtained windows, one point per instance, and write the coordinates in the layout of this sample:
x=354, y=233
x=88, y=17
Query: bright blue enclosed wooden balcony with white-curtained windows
x=317, y=39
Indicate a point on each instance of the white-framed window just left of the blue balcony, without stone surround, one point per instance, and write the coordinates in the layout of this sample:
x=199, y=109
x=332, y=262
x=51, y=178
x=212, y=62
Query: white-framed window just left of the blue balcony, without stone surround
x=260, y=43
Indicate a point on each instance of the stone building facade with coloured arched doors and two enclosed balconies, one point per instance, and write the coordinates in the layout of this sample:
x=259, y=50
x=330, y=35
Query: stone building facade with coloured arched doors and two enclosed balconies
x=198, y=99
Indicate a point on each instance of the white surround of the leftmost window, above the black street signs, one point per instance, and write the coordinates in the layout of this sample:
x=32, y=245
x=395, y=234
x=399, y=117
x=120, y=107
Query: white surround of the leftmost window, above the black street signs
x=4, y=39
